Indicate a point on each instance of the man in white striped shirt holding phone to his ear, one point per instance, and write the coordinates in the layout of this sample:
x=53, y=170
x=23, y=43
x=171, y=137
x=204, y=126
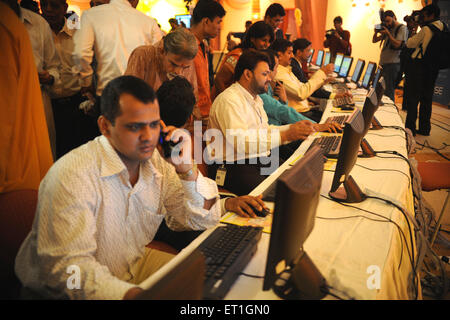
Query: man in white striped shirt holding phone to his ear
x=102, y=203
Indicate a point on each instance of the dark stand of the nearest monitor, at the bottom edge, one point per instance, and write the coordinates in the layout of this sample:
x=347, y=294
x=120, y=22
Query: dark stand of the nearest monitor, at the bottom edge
x=302, y=281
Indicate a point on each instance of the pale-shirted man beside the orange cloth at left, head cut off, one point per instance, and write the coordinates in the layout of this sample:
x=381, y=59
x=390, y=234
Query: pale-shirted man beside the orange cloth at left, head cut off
x=47, y=63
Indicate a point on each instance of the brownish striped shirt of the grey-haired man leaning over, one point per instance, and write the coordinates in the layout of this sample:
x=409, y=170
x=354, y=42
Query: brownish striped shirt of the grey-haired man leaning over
x=146, y=62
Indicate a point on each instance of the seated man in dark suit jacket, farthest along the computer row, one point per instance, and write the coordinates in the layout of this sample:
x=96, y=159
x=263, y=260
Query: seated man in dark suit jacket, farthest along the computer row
x=299, y=63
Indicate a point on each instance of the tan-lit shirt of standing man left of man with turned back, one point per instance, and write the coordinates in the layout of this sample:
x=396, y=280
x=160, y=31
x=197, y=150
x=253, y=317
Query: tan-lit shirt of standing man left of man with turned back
x=70, y=78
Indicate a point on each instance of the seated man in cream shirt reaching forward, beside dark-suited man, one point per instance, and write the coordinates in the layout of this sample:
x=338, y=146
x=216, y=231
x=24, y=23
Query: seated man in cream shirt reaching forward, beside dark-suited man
x=297, y=91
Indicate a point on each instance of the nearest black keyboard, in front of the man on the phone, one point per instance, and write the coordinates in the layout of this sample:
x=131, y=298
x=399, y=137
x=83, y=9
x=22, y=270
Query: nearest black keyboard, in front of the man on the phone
x=227, y=251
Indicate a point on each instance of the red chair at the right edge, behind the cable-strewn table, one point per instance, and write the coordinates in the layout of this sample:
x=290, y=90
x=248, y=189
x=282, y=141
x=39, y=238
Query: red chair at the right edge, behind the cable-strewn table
x=435, y=176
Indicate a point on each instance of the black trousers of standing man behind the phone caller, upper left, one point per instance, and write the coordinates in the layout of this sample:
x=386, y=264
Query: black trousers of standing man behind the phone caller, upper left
x=73, y=127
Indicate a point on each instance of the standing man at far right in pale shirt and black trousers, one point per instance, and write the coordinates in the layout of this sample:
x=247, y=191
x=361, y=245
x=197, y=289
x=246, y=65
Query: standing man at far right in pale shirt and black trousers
x=422, y=72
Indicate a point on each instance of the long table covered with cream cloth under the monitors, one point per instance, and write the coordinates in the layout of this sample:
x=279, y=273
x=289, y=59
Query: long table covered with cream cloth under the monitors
x=361, y=255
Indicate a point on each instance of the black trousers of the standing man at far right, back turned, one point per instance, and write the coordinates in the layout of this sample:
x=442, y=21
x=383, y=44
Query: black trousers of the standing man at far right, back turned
x=421, y=80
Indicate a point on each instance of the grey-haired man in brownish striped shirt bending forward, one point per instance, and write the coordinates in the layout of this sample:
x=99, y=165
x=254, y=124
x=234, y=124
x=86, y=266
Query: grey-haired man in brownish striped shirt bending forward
x=173, y=55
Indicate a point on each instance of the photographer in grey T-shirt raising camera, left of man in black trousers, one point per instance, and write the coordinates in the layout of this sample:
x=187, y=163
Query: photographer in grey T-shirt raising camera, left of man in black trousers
x=393, y=36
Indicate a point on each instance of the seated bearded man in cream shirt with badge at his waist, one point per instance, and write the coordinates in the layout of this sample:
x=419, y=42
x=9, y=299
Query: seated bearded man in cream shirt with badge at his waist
x=242, y=144
